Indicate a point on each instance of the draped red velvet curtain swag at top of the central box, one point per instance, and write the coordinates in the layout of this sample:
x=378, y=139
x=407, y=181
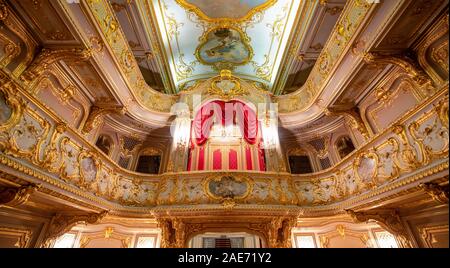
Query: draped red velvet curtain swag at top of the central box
x=225, y=113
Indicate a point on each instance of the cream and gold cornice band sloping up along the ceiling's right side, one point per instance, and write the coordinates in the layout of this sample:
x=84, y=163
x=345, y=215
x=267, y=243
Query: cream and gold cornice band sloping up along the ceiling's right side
x=378, y=18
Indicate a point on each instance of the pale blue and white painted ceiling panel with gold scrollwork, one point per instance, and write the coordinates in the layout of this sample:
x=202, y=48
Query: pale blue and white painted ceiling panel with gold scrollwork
x=199, y=38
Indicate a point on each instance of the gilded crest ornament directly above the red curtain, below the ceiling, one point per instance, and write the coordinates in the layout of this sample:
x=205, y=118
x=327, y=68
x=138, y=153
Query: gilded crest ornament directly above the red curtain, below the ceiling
x=226, y=86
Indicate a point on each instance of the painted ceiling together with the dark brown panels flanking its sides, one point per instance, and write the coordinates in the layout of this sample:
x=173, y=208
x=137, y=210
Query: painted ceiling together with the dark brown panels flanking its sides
x=274, y=43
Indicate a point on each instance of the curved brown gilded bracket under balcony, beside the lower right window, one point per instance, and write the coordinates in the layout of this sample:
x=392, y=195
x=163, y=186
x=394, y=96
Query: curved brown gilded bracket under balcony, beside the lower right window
x=388, y=219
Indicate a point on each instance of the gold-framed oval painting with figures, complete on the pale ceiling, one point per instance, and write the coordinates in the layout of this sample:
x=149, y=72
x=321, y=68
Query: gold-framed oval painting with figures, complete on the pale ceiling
x=224, y=47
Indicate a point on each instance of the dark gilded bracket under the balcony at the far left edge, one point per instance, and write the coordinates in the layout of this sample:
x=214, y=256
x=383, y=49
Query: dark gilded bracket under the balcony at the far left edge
x=15, y=196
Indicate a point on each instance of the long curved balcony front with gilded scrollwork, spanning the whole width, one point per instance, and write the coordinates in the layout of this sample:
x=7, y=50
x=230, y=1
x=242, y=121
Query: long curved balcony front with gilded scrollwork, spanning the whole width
x=416, y=140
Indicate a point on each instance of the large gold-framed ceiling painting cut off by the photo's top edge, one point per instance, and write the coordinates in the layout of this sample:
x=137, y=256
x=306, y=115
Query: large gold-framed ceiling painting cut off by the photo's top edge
x=225, y=10
